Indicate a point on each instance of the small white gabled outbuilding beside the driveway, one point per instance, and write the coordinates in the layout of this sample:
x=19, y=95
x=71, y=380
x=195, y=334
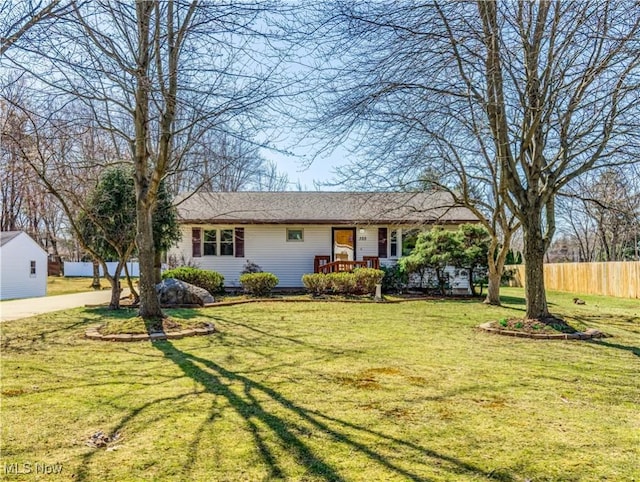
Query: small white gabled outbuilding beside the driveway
x=23, y=266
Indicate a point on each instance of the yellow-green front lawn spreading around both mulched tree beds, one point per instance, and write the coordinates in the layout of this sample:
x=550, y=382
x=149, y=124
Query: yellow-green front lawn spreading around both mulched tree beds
x=329, y=391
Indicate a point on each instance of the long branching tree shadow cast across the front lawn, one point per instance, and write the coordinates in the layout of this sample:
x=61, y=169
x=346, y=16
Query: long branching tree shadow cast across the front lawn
x=219, y=381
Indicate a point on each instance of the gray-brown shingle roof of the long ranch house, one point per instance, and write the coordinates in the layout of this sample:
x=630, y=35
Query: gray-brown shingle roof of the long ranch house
x=321, y=208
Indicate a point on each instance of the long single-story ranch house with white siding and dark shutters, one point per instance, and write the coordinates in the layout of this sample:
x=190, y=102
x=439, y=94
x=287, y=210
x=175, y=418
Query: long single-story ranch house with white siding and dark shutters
x=293, y=233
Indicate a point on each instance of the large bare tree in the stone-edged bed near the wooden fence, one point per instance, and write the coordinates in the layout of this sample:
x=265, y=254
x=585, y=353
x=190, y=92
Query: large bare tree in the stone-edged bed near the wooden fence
x=513, y=98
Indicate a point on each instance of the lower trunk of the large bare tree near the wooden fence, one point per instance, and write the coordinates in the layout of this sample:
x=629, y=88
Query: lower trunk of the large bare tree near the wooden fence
x=534, y=249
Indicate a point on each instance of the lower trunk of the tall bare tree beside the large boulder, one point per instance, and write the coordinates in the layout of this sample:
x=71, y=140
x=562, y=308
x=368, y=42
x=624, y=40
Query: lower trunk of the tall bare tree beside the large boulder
x=149, y=303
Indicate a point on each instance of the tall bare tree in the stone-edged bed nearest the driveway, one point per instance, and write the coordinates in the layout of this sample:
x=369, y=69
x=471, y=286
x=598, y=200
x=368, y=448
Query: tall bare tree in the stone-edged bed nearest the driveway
x=158, y=75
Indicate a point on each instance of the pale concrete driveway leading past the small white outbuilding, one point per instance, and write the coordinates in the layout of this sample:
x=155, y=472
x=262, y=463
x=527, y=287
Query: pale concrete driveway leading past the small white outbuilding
x=16, y=309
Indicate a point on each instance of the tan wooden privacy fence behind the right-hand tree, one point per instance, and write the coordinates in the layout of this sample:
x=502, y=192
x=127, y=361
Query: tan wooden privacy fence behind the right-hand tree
x=614, y=278
